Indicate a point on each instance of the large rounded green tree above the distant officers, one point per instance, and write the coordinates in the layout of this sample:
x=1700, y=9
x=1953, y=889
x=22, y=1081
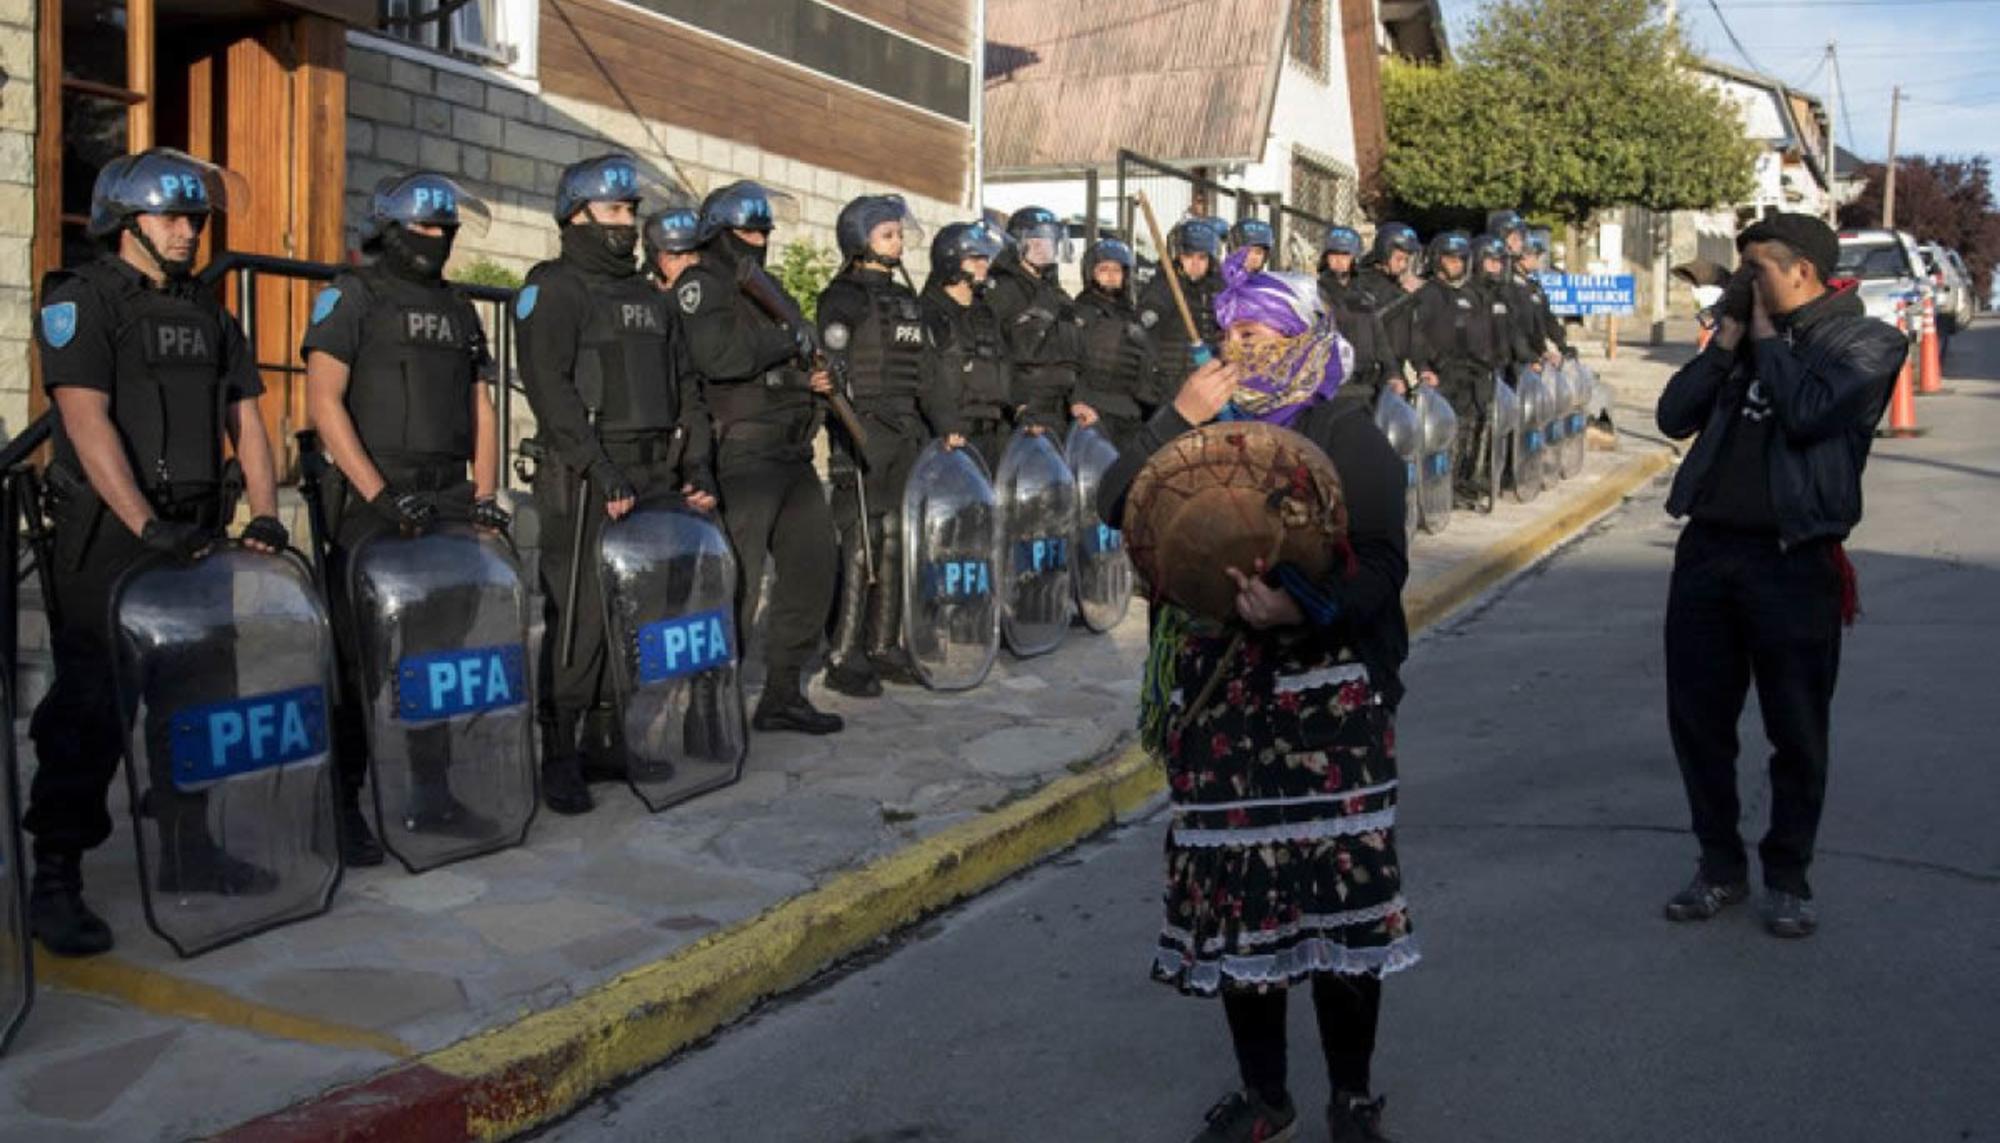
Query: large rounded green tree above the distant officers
x=1563, y=109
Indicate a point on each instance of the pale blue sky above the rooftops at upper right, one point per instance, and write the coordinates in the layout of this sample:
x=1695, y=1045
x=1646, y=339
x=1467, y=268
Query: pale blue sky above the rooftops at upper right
x=1941, y=51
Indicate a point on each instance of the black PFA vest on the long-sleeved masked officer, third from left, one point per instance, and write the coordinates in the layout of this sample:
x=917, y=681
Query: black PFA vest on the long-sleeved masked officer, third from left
x=625, y=361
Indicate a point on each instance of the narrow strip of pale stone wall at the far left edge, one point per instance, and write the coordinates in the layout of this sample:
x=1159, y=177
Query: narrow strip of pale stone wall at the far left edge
x=17, y=207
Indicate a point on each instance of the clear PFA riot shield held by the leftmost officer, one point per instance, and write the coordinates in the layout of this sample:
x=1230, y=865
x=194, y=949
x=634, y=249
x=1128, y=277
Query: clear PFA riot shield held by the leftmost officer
x=225, y=672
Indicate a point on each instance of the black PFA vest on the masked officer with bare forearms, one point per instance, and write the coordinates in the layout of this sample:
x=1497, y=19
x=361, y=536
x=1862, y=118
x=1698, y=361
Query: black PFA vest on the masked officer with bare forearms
x=411, y=385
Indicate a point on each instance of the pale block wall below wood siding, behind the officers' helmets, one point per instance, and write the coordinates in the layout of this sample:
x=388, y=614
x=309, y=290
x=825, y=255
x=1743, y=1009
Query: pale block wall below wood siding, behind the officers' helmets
x=509, y=145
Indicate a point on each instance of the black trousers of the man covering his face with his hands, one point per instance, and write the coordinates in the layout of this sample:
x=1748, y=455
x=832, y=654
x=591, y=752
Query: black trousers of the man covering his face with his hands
x=1741, y=610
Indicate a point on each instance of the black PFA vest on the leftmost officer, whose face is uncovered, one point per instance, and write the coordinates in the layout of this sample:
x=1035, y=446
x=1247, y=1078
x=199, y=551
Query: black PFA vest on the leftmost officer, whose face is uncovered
x=167, y=399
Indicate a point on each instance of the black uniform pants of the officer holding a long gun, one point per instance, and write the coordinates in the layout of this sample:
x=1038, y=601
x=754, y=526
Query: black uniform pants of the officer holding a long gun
x=779, y=507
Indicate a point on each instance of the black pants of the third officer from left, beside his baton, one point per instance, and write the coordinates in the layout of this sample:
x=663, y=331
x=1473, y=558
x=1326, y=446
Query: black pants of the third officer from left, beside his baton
x=569, y=690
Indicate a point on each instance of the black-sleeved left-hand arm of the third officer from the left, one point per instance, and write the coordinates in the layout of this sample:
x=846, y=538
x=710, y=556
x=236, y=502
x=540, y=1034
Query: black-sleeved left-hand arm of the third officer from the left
x=549, y=345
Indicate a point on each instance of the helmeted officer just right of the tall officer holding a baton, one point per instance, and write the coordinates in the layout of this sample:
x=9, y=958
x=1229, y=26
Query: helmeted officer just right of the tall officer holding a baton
x=975, y=373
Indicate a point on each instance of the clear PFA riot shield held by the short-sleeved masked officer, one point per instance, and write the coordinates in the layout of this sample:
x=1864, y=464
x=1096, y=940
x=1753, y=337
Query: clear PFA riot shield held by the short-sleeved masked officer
x=441, y=626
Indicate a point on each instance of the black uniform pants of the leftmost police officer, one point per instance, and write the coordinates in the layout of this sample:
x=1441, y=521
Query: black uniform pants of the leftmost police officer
x=79, y=726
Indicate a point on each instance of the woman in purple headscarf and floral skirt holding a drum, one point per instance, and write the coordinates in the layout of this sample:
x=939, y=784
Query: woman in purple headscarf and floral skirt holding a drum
x=1281, y=860
